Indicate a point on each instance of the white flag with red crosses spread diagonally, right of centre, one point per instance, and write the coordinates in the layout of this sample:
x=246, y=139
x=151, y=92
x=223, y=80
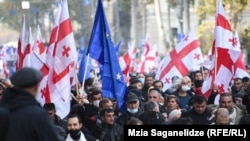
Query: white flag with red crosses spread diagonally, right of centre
x=180, y=60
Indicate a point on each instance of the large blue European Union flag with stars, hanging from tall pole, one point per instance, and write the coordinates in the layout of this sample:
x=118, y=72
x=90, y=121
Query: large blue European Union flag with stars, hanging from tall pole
x=102, y=49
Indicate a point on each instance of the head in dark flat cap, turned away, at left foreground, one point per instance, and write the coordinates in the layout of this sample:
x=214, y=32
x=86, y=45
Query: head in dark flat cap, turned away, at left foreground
x=28, y=79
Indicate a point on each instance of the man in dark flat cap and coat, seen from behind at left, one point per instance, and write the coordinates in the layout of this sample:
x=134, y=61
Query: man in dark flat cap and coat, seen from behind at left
x=28, y=122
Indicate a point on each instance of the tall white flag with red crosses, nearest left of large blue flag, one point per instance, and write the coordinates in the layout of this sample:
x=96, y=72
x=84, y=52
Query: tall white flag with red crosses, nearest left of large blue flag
x=65, y=58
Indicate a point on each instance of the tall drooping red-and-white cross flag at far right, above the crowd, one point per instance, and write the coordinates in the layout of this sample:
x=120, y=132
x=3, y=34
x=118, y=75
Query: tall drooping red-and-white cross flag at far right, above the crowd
x=225, y=53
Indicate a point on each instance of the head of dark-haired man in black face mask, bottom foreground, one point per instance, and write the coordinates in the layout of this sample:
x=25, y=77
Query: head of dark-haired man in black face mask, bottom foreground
x=74, y=125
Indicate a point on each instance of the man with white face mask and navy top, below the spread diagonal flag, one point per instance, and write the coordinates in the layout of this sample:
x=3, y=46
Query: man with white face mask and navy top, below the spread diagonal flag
x=184, y=94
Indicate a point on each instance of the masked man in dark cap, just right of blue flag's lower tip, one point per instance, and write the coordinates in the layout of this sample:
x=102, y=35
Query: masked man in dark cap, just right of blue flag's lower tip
x=133, y=110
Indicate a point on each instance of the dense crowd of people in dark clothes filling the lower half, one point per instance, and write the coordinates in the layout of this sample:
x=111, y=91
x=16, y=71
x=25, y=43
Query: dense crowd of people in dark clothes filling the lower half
x=94, y=117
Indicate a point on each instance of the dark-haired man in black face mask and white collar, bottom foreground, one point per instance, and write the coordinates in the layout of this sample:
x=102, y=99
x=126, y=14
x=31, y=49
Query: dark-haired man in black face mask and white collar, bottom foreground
x=74, y=126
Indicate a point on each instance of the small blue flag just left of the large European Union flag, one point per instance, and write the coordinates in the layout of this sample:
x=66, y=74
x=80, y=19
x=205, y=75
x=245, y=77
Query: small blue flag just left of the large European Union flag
x=82, y=68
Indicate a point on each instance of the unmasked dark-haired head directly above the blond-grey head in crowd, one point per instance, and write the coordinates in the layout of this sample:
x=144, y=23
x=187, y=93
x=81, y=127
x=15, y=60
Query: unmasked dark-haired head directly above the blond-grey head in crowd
x=172, y=102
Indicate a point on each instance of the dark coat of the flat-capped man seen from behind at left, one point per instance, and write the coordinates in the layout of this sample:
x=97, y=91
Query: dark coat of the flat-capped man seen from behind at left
x=28, y=122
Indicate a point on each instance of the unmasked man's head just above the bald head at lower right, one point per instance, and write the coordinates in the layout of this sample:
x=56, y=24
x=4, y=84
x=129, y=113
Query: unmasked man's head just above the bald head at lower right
x=226, y=101
